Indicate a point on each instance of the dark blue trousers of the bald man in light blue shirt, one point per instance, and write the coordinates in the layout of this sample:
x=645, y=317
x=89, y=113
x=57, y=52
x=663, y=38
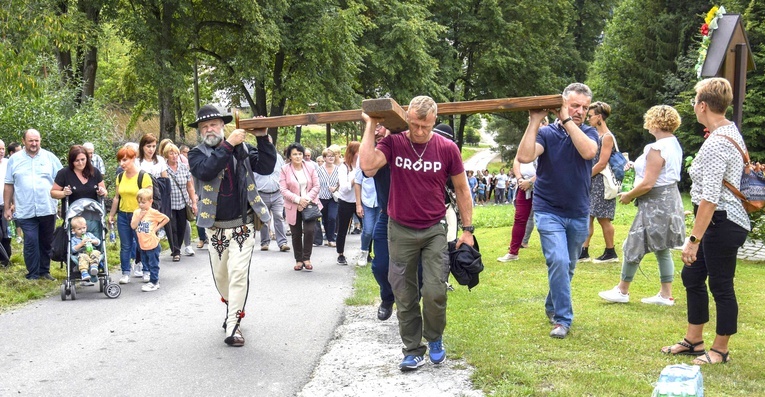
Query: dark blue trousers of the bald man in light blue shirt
x=38, y=237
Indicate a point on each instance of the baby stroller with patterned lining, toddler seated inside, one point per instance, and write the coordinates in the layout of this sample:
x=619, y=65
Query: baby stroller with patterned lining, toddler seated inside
x=93, y=212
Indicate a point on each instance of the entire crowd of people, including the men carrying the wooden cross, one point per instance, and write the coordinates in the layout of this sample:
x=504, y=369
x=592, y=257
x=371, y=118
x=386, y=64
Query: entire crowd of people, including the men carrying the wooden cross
x=233, y=189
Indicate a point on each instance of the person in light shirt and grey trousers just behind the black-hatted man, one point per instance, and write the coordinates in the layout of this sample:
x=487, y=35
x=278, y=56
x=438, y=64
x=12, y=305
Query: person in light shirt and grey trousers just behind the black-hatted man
x=268, y=189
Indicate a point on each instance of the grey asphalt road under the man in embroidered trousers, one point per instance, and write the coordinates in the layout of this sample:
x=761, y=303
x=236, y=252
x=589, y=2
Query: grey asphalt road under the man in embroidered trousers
x=170, y=342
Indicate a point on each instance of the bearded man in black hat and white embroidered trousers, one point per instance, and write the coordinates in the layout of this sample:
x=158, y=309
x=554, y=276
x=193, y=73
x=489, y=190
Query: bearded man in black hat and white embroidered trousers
x=230, y=208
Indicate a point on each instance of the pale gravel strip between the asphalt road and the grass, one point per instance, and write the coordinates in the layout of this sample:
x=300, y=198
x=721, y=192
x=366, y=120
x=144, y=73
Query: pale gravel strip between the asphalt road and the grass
x=362, y=360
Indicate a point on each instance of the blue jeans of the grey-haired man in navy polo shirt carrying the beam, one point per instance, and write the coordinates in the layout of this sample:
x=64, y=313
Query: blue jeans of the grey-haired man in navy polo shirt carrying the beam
x=562, y=240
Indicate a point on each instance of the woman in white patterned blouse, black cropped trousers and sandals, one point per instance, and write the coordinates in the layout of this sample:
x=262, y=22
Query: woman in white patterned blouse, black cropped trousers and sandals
x=719, y=229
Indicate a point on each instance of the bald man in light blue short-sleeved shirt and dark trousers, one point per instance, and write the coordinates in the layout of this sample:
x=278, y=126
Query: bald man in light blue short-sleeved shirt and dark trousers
x=28, y=181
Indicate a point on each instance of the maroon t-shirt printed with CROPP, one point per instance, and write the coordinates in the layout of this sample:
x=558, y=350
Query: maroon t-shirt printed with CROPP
x=416, y=196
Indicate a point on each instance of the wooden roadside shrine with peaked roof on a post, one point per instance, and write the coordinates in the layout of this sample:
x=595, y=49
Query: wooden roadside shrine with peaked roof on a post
x=730, y=56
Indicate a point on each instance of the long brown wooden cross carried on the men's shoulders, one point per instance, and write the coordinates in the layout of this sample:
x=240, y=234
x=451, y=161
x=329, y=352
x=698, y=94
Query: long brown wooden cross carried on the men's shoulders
x=394, y=115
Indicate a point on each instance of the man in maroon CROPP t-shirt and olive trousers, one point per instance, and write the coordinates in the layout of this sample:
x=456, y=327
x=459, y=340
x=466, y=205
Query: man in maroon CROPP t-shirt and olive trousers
x=420, y=164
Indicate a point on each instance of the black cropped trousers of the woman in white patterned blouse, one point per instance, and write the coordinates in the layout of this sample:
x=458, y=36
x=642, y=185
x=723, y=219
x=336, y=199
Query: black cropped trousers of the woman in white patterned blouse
x=715, y=261
